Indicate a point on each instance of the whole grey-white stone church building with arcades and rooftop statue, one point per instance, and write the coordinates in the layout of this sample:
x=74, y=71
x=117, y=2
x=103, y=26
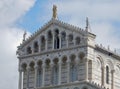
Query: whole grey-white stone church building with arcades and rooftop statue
x=63, y=56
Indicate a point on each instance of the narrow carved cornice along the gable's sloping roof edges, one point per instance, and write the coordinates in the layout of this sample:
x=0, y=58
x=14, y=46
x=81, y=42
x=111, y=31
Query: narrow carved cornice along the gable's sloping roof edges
x=53, y=21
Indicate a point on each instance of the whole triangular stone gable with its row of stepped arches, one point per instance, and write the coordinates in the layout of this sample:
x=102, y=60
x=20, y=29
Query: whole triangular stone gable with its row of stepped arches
x=54, y=31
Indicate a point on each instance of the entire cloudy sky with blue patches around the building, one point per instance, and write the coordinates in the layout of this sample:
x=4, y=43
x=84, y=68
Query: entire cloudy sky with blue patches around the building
x=16, y=16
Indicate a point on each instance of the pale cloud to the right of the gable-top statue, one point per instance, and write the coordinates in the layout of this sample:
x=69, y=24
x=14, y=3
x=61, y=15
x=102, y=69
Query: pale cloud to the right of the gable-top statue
x=102, y=13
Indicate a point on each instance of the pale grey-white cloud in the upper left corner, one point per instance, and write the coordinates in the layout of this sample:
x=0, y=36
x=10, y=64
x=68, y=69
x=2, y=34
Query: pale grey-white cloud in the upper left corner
x=12, y=10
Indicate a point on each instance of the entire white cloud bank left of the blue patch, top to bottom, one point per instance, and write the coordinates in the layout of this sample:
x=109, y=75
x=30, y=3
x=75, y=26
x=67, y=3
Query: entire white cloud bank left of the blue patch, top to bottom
x=10, y=37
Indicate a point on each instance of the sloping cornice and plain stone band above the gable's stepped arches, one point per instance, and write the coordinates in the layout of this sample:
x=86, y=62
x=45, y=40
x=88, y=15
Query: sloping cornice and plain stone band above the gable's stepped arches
x=53, y=23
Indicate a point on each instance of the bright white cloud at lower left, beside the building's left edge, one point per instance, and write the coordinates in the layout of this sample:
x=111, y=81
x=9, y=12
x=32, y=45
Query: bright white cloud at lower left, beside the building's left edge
x=9, y=72
